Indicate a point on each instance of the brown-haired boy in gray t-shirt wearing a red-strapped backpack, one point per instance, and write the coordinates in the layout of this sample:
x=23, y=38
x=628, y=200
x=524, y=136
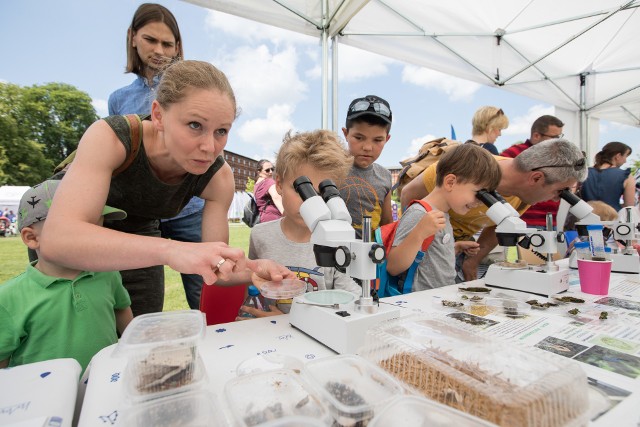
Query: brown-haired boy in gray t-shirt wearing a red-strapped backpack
x=460, y=174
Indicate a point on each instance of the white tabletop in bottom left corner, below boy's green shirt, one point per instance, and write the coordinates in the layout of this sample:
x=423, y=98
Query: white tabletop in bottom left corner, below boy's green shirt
x=39, y=394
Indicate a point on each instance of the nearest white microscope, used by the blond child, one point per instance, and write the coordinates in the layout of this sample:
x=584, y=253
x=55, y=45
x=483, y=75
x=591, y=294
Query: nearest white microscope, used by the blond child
x=338, y=323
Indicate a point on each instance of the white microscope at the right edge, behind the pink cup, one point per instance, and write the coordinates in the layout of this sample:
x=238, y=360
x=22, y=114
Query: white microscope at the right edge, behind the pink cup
x=625, y=260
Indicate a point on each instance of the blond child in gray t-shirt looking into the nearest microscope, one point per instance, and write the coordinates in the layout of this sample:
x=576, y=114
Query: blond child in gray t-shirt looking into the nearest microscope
x=318, y=155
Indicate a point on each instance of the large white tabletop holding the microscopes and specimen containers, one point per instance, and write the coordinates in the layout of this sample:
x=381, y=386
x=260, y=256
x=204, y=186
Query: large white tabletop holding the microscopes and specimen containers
x=227, y=345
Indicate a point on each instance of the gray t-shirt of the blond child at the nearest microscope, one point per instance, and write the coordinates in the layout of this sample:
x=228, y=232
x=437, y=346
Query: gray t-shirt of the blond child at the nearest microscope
x=267, y=241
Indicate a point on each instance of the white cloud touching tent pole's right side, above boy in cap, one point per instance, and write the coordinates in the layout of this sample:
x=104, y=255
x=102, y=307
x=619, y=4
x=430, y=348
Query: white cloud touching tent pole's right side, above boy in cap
x=357, y=64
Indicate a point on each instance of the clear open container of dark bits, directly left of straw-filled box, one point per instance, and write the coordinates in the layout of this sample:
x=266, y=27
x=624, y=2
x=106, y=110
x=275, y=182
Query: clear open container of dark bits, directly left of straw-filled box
x=352, y=387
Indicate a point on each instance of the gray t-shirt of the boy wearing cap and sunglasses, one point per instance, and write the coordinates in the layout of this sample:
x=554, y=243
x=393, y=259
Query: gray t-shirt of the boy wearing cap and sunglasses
x=364, y=191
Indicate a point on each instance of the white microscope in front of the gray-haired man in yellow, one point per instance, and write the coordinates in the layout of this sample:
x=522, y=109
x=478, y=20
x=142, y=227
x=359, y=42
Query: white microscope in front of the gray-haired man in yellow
x=547, y=279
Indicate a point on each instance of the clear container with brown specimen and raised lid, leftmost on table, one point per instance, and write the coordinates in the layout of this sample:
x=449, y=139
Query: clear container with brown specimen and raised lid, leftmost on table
x=162, y=354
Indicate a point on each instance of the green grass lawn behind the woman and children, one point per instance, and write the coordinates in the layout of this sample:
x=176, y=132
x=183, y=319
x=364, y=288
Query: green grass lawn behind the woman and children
x=13, y=261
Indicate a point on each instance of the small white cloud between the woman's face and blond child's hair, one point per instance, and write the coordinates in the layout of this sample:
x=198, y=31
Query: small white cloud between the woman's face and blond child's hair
x=266, y=133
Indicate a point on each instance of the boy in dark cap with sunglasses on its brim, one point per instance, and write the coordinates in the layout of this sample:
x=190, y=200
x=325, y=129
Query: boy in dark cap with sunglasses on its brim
x=367, y=188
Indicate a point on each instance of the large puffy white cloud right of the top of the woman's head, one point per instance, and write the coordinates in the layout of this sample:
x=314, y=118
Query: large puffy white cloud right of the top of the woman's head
x=262, y=78
